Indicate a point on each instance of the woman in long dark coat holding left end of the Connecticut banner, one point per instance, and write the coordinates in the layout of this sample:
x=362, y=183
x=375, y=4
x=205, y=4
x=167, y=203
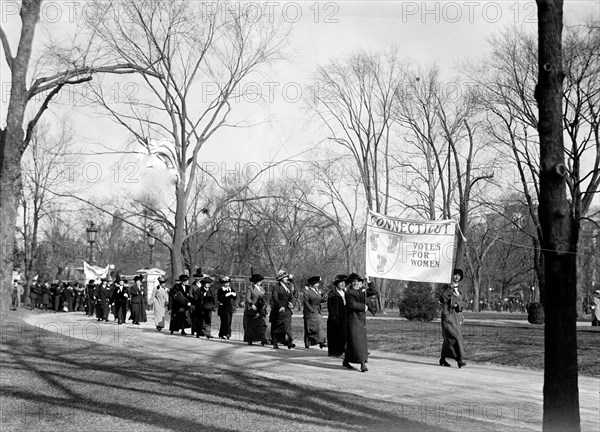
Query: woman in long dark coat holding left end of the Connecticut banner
x=356, y=325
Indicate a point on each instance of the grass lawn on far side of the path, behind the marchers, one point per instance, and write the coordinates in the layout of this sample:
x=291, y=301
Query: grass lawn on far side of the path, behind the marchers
x=520, y=345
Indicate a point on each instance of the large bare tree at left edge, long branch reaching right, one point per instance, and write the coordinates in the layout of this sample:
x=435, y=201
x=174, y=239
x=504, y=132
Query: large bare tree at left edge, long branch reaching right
x=44, y=81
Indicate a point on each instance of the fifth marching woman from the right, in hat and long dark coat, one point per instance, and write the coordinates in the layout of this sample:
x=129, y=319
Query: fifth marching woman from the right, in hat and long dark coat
x=280, y=318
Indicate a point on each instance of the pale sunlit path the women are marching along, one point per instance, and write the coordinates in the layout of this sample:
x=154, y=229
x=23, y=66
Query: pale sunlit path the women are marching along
x=506, y=398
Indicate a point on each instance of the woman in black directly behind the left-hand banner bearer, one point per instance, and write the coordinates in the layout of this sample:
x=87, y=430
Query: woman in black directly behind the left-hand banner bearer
x=336, y=317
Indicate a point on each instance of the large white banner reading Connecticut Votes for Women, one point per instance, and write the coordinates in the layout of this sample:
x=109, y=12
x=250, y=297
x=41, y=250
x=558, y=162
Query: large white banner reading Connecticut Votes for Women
x=410, y=250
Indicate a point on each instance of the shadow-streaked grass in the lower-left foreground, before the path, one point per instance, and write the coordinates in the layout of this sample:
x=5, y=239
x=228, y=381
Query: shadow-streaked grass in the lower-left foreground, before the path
x=103, y=387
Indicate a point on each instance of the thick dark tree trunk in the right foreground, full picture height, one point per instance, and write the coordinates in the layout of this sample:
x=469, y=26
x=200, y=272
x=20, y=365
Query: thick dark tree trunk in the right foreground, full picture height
x=561, y=394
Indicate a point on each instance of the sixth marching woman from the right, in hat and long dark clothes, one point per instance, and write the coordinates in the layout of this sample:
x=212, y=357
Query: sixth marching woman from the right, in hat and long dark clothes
x=255, y=312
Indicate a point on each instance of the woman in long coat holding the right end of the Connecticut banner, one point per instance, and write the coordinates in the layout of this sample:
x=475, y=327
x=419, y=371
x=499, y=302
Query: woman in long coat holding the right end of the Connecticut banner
x=452, y=304
